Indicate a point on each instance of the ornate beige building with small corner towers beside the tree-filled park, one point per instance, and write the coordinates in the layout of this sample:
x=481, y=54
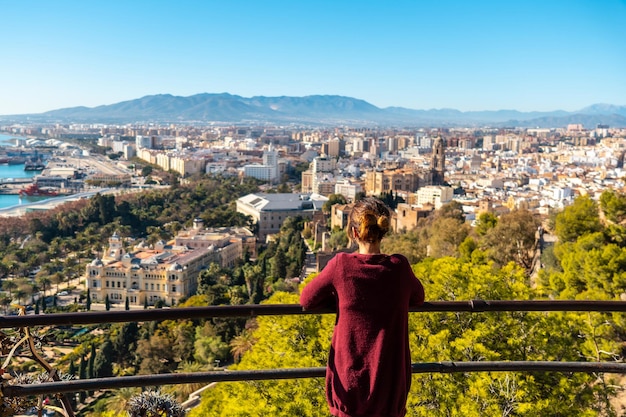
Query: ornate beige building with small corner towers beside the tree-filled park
x=166, y=271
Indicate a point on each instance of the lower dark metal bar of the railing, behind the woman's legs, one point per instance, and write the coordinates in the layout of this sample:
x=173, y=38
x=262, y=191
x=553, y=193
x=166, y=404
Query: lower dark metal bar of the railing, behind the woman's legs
x=96, y=384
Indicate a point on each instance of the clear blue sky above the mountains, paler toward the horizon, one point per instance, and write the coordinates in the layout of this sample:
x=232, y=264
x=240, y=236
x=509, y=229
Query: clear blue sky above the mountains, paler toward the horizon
x=420, y=54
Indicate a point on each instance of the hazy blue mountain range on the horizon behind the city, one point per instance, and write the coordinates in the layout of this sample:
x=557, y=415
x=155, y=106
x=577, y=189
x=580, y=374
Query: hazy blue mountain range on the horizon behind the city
x=314, y=110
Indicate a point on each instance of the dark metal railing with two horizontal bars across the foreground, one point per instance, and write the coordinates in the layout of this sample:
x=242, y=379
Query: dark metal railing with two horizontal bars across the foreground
x=473, y=306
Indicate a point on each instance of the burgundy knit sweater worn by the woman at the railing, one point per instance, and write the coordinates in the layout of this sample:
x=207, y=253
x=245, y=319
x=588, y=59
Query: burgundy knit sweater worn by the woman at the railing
x=369, y=364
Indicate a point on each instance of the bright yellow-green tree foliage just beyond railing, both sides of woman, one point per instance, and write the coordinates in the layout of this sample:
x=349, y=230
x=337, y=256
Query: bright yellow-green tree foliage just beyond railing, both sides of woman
x=303, y=341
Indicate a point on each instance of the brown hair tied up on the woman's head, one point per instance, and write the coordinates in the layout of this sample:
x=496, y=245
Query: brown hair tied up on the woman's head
x=371, y=219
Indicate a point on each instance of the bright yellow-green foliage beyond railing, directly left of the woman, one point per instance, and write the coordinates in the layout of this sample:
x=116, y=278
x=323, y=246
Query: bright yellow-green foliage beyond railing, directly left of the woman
x=282, y=342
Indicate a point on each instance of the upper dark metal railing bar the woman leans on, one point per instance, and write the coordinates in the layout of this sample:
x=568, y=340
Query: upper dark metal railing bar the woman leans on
x=253, y=310
